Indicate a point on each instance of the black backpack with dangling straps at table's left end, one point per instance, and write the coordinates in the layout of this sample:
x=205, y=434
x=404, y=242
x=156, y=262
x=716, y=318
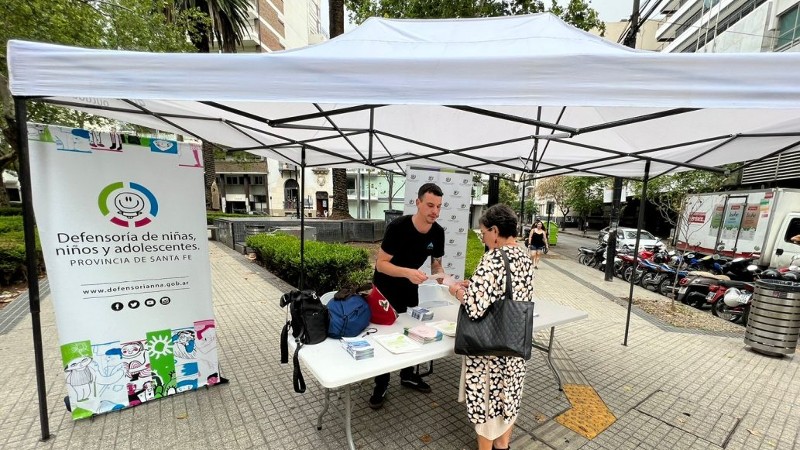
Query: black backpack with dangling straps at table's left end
x=309, y=324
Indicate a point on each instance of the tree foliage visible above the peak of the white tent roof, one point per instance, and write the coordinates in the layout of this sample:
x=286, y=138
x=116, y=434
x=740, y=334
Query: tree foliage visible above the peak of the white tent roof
x=576, y=12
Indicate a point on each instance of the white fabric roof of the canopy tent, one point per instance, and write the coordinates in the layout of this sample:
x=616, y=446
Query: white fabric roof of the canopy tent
x=464, y=93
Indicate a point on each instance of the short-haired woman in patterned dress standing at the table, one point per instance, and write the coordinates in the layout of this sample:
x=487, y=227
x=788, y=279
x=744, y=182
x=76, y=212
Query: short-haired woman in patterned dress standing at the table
x=492, y=385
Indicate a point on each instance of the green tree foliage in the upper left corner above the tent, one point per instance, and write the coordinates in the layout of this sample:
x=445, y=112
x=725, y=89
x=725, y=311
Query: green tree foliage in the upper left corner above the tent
x=114, y=24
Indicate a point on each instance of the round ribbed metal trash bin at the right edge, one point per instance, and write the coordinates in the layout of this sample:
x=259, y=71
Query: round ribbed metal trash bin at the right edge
x=773, y=326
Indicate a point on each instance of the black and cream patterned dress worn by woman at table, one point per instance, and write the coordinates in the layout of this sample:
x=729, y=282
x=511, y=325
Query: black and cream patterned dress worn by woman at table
x=492, y=385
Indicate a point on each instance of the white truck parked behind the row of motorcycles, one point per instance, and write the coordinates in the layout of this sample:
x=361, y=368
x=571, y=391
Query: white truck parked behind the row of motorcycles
x=759, y=223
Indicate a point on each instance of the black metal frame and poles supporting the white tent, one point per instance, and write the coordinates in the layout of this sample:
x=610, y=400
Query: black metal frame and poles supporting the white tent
x=392, y=163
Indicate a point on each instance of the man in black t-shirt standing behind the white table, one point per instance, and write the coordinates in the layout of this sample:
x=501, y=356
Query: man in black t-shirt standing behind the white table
x=407, y=243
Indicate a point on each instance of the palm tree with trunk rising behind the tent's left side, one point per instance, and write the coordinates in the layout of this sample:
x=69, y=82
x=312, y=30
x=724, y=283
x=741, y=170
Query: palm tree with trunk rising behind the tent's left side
x=226, y=25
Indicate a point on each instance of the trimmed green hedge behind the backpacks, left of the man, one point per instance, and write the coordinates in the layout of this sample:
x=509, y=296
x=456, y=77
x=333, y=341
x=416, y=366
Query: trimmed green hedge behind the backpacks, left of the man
x=328, y=267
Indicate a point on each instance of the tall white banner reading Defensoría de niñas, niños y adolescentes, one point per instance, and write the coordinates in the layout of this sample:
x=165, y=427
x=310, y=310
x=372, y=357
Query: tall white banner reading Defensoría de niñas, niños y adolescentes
x=121, y=221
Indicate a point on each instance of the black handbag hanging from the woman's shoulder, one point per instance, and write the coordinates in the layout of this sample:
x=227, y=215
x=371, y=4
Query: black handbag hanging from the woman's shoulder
x=506, y=329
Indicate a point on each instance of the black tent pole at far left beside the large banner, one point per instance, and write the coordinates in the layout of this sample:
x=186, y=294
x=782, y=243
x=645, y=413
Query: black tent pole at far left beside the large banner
x=31, y=263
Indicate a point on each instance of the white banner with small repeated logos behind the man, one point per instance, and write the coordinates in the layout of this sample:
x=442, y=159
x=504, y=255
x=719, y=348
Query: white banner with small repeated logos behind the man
x=454, y=218
